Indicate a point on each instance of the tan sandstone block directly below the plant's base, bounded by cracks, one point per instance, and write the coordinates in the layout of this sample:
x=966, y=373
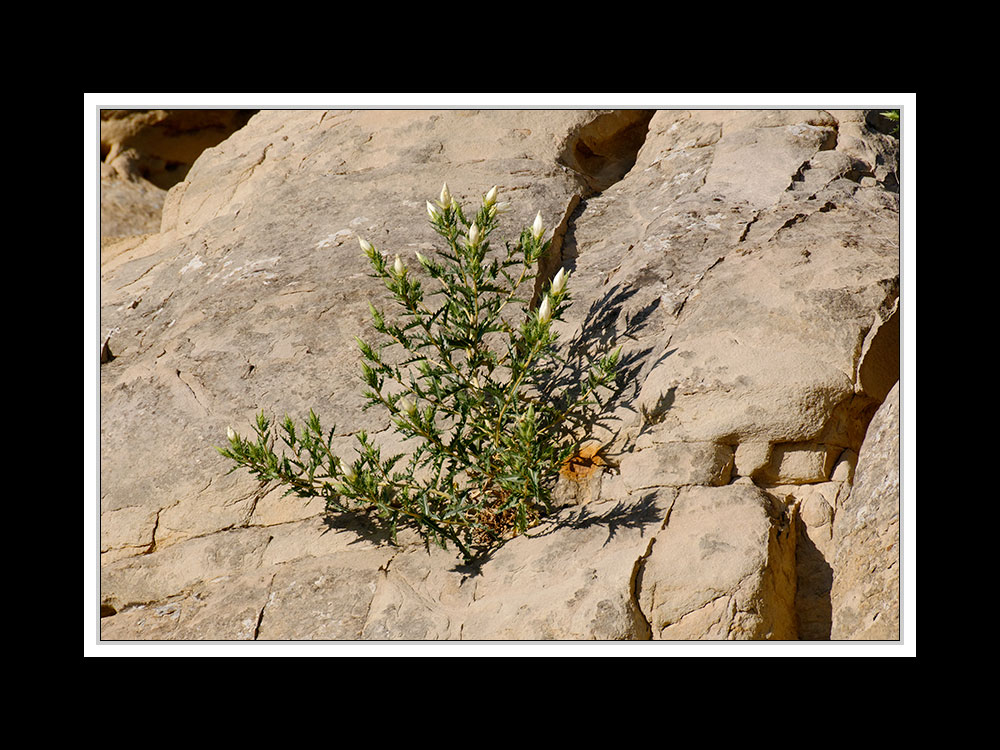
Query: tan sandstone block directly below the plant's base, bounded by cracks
x=514, y=595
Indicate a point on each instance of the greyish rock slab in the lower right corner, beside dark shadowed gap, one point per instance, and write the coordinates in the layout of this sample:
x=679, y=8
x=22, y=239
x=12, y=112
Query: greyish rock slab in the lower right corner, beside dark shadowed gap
x=865, y=595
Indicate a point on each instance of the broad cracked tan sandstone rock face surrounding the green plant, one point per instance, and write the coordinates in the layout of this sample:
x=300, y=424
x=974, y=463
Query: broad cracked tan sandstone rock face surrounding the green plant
x=747, y=262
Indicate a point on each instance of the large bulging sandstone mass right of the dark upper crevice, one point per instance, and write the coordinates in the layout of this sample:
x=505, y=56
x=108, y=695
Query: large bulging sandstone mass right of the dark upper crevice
x=745, y=315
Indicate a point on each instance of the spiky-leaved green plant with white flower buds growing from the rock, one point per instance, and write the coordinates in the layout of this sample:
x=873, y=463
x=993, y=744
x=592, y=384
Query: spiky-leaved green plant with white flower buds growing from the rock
x=467, y=379
